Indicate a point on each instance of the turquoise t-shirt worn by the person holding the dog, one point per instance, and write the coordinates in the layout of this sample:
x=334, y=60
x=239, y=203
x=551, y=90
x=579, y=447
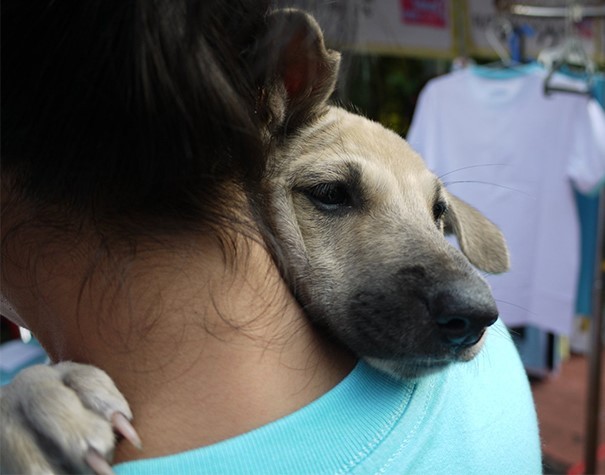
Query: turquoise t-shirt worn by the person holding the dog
x=473, y=418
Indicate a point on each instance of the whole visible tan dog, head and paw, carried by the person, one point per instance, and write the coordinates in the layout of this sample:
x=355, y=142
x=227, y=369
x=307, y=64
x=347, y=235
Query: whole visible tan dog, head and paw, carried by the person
x=357, y=224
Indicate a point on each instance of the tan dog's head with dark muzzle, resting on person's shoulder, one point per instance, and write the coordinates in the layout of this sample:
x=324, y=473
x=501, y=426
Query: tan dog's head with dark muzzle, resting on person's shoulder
x=360, y=224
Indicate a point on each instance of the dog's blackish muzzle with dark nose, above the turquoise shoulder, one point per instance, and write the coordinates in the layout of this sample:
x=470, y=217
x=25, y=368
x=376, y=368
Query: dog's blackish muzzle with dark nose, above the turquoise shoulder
x=419, y=316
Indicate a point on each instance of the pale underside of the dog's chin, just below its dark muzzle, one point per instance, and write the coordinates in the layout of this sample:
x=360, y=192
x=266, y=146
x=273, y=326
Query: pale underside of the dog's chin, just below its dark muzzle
x=414, y=367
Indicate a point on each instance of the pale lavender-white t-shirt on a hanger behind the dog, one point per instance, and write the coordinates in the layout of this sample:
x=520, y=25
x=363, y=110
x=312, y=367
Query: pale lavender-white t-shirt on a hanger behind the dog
x=500, y=144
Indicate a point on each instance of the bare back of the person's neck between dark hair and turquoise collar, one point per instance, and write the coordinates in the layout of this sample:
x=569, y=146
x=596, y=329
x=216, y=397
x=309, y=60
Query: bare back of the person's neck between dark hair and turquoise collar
x=203, y=351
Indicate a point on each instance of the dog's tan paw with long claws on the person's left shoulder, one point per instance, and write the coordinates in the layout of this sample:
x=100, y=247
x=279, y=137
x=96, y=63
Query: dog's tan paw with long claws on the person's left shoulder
x=61, y=419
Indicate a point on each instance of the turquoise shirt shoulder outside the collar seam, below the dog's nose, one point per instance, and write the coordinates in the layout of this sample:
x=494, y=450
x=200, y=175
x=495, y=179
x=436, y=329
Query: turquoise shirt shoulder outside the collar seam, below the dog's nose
x=482, y=409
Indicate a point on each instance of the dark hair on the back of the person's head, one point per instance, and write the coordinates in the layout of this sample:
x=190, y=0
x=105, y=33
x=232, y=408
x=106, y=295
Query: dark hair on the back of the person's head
x=138, y=112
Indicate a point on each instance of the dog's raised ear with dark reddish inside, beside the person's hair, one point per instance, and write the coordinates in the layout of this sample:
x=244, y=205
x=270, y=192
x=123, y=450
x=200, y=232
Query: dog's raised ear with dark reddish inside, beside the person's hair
x=300, y=73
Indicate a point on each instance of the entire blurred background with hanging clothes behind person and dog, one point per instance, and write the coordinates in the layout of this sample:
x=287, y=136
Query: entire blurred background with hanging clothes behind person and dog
x=504, y=101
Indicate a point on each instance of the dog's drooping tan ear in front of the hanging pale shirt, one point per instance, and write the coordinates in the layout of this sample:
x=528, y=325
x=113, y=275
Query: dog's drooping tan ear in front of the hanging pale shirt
x=480, y=240
